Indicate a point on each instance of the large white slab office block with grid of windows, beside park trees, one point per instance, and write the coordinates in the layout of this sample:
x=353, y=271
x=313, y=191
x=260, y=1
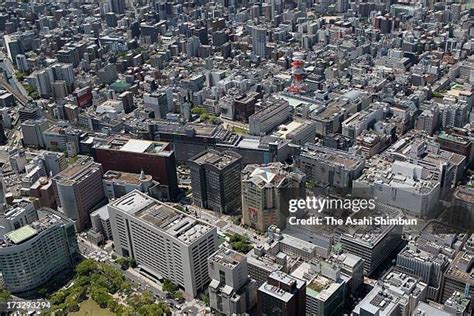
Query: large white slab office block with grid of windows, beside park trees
x=165, y=242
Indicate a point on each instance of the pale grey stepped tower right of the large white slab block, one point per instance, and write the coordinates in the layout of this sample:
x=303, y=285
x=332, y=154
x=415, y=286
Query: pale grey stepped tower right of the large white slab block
x=231, y=290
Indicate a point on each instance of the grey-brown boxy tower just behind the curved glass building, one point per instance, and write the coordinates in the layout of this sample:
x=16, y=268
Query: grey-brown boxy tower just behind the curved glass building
x=79, y=190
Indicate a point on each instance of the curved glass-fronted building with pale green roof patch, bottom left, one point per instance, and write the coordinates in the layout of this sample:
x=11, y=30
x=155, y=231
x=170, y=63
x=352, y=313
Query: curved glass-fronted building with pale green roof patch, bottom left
x=34, y=253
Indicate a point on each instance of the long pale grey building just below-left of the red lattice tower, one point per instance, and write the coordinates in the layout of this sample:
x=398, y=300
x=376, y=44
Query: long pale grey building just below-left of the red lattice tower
x=276, y=112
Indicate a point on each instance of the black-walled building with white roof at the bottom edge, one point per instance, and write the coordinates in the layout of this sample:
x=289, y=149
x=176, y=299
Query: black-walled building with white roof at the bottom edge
x=282, y=294
